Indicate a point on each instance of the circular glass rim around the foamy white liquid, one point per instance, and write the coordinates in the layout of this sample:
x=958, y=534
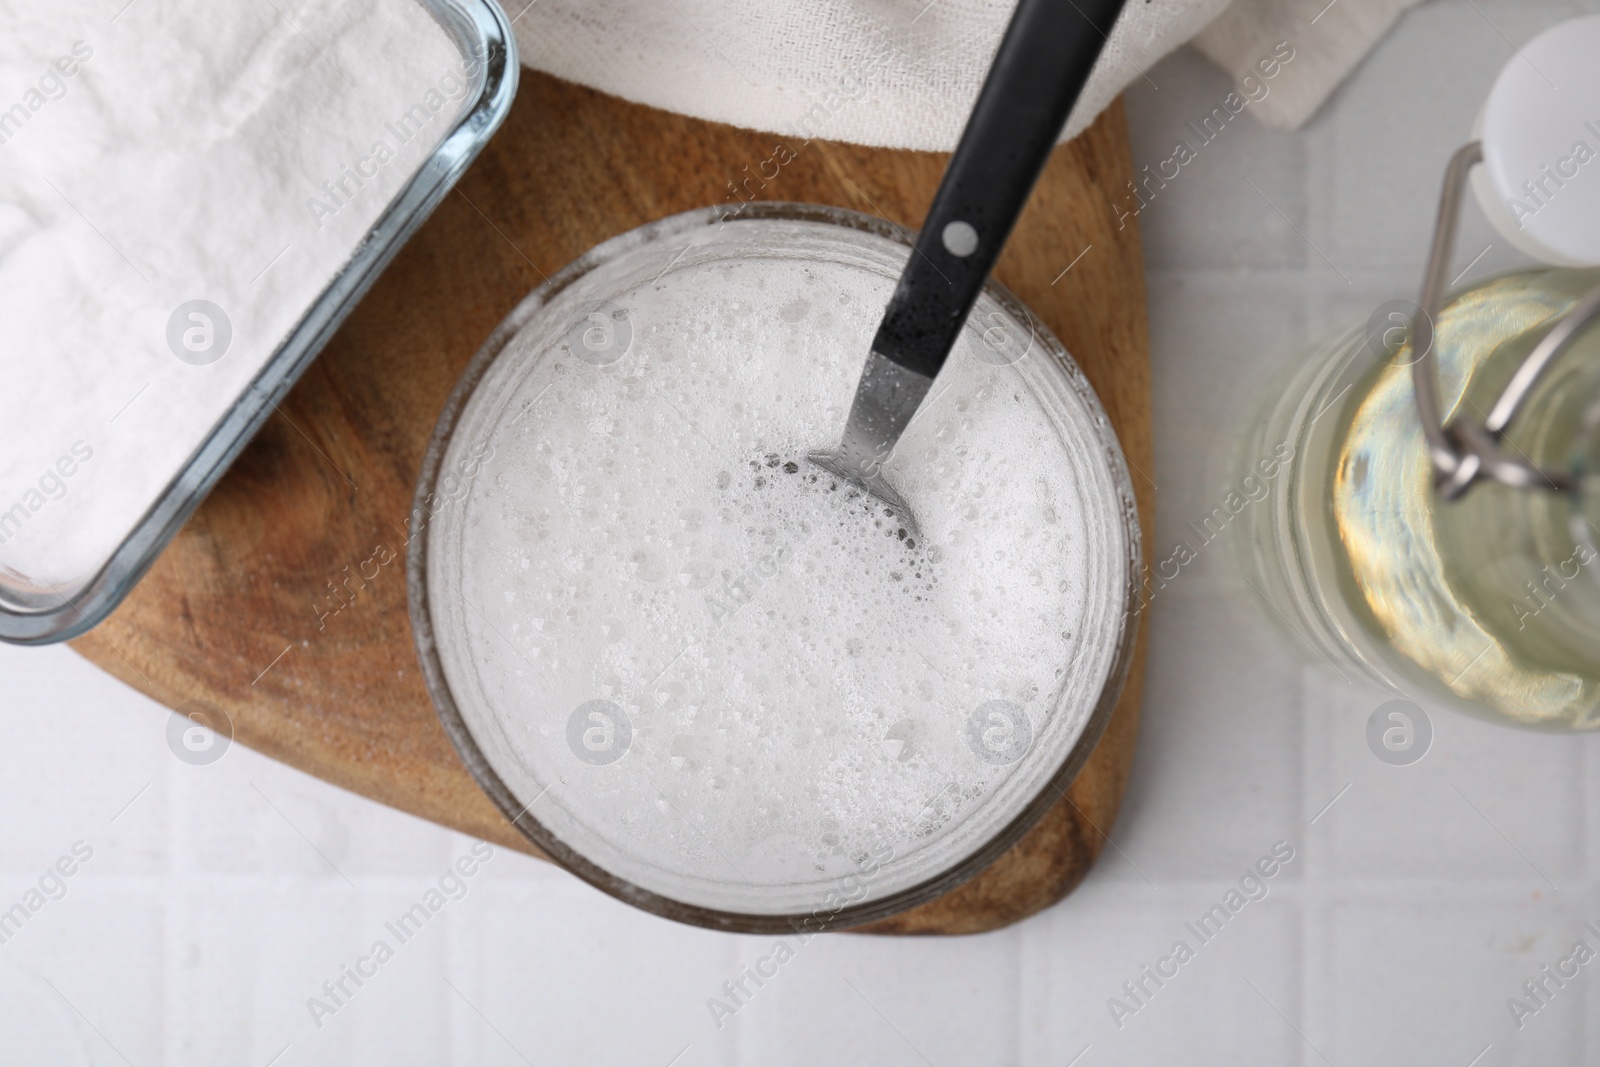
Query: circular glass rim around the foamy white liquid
x=575, y=863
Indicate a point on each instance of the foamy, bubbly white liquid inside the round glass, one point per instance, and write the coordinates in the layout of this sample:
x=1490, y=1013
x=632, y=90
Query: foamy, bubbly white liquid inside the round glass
x=710, y=666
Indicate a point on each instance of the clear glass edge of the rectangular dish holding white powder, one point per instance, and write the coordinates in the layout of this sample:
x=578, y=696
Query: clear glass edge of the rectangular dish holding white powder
x=481, y=31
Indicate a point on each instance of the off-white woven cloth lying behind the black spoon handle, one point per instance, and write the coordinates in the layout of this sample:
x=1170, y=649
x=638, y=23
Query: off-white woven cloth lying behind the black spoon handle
x=905, y=73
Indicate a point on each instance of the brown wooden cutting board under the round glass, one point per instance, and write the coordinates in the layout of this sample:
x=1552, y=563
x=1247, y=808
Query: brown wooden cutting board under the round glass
x=230, y=615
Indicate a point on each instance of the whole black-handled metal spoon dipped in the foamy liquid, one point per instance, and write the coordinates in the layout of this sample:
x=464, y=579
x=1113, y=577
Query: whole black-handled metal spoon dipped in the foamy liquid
x=1044, y=60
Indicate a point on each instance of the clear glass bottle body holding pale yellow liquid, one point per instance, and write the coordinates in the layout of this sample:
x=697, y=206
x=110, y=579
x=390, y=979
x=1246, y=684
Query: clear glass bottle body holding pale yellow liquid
x=1489, y=602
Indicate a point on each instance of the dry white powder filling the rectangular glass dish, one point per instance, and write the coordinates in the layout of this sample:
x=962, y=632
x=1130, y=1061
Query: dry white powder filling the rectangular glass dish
x=178, y=183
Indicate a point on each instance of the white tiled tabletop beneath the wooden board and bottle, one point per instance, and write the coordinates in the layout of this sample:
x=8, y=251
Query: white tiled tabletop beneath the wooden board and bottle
x=222, y=898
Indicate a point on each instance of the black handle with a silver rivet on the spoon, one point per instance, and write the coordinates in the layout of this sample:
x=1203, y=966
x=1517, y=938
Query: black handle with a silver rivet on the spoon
x=1044, y=60
